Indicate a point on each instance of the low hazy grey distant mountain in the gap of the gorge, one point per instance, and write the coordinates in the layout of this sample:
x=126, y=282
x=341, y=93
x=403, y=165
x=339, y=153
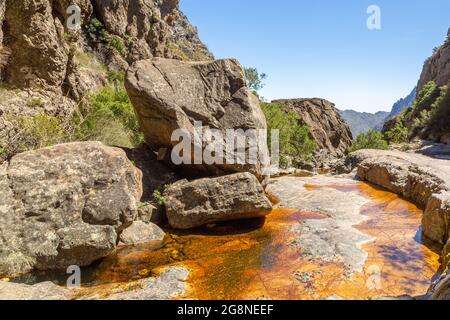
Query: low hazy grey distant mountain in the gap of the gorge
x=361, y=122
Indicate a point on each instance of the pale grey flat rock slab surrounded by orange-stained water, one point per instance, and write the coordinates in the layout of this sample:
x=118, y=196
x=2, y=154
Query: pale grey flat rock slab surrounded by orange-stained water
x=332, y=239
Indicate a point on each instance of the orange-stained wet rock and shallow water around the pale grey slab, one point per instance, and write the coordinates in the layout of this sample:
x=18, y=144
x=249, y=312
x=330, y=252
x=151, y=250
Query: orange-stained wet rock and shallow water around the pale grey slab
x=256, y=259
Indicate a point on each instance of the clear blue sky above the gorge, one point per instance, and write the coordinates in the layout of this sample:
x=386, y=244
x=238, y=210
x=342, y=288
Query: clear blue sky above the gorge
x=322, y=48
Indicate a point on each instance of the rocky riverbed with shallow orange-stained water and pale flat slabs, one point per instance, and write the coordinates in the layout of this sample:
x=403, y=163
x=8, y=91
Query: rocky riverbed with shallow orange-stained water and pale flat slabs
x=329, y=237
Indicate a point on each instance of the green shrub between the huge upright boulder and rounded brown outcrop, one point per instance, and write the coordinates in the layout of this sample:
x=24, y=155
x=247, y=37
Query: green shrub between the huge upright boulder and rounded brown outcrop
x=294, y=140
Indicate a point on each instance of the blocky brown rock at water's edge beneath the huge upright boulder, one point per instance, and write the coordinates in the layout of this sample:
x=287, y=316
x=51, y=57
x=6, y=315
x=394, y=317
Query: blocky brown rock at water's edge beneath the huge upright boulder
x=233, y=197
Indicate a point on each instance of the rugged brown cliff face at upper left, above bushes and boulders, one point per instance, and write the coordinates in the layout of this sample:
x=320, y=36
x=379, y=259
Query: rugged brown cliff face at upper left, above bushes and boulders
x=35, y=35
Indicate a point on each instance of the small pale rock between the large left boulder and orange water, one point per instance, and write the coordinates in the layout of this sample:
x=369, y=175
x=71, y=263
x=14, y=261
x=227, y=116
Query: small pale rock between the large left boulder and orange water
x=141, y=232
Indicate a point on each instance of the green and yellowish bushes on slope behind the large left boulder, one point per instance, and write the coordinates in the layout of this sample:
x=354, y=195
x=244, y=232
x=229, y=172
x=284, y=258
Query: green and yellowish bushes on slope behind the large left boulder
x=107, y=116
